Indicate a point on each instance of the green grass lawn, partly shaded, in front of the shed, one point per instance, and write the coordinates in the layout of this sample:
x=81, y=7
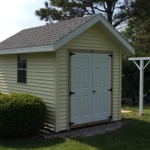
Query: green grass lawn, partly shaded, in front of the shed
x=134, y=135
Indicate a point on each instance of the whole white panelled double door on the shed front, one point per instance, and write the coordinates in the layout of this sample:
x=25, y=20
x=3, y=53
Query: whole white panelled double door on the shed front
x=90, y=87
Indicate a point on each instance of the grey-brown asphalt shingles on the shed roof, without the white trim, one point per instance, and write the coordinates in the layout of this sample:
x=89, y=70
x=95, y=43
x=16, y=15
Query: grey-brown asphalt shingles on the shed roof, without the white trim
x=43, y=35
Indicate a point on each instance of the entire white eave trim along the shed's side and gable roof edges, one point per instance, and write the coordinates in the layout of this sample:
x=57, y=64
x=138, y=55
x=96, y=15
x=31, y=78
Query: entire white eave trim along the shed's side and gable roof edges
x=102, y=23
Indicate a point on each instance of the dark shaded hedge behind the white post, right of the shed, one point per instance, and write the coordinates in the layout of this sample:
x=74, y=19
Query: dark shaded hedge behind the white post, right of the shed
x=130, y=76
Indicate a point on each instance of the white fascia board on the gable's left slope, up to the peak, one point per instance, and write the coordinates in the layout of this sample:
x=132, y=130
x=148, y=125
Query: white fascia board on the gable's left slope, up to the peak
x=76, y=32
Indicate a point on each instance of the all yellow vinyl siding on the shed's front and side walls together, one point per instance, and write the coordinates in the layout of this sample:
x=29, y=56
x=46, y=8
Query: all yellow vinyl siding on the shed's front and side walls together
x=47, y=76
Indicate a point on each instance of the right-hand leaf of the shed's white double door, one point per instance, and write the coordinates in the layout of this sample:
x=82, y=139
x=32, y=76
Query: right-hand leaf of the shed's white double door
x=101, y=84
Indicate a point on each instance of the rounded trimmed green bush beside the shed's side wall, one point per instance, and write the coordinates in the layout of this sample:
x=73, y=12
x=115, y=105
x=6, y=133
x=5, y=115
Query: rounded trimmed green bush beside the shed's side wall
x=21, y=115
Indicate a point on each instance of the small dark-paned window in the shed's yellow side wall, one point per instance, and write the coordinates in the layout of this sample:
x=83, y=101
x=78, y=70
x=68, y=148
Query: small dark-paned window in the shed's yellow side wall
x=21, y=69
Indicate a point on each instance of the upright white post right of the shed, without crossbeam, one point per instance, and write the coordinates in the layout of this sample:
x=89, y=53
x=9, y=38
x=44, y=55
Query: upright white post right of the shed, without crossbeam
x=141, y=86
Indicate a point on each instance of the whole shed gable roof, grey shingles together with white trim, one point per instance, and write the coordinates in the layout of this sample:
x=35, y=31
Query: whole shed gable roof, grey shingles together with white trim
x=53, y=36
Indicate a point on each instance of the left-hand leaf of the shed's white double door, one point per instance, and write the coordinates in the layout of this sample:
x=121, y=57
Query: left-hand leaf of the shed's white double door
x=81, y=84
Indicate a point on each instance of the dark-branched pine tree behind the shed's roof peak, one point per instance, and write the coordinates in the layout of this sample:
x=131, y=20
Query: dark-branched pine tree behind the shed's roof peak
x=115, y=11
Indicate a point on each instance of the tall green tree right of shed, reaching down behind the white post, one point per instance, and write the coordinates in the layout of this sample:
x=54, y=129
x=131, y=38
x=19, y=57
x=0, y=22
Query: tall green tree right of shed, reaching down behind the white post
x=137, y=33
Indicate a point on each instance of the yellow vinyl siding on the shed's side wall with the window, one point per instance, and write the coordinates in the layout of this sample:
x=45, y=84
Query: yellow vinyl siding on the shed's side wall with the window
x=40, y=78
